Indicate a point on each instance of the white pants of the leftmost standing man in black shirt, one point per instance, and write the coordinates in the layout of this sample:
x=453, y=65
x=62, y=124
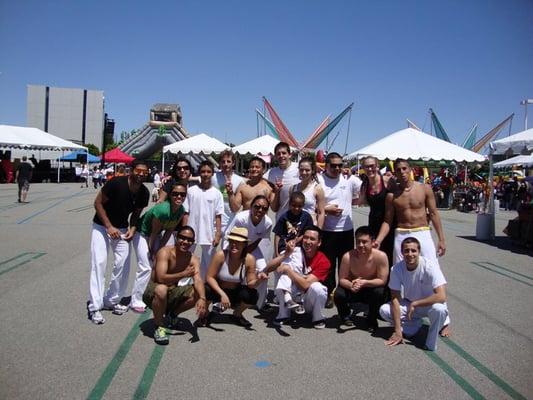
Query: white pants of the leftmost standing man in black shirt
x=100, y=244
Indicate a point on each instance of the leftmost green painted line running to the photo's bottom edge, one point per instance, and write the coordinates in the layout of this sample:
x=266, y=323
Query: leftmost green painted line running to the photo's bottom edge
x=109, y=373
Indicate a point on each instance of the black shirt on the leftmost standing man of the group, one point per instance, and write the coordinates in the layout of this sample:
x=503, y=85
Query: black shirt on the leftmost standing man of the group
x=121, y=201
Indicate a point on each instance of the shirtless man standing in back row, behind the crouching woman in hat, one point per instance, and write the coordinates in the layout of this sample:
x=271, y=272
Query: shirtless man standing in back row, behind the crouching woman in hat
x=251, y=188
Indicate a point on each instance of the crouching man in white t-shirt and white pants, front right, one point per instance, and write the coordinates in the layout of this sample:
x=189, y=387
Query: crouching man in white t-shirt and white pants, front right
x=424, y=295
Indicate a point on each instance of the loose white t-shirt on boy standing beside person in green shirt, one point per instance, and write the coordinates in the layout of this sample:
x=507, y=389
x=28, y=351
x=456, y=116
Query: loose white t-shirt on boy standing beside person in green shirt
x=206, y=205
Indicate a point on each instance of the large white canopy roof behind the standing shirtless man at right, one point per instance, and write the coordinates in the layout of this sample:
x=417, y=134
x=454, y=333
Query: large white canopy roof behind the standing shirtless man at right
x=412, y=144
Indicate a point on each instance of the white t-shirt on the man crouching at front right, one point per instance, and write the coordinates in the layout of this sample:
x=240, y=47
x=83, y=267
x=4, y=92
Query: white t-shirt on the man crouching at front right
x=417, y=284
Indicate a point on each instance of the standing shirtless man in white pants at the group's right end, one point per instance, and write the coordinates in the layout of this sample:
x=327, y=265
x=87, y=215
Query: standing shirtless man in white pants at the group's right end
x=409, y=202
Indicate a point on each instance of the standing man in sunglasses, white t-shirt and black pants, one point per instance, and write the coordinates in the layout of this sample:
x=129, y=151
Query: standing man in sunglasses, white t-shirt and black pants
x=337, y=238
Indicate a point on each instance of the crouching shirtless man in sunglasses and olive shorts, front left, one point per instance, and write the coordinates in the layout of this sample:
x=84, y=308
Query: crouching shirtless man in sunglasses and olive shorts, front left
x=176, y=285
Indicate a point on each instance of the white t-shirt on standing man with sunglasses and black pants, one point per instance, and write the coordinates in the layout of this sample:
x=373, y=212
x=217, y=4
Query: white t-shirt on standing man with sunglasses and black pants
x=340, y=191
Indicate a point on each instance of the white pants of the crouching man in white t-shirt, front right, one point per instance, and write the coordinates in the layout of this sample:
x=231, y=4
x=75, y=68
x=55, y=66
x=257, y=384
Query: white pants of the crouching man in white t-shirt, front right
x=437, y=313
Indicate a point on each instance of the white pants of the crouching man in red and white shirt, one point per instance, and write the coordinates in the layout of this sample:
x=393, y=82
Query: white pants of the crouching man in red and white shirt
x=314, y=300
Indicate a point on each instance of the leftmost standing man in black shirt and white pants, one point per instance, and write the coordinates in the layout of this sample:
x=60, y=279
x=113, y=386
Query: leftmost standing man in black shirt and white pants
x=118, y=198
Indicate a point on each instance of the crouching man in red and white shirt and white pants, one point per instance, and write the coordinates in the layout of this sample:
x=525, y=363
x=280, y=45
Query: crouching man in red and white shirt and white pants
x=302, y=272
